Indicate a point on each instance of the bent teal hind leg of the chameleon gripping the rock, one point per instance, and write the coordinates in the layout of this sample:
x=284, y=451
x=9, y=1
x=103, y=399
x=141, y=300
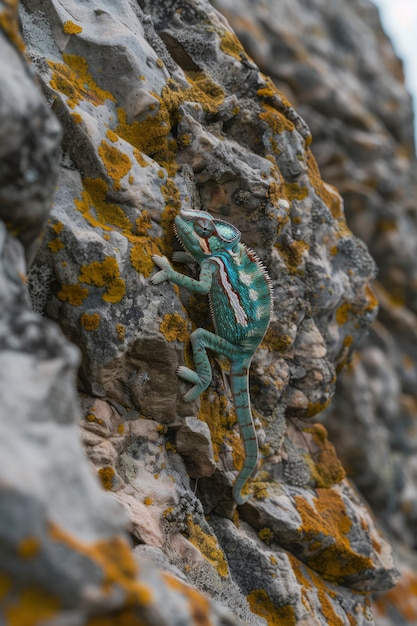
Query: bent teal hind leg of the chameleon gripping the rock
x=200, y=378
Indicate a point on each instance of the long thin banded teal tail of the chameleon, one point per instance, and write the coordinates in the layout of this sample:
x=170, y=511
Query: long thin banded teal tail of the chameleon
x=239, y=380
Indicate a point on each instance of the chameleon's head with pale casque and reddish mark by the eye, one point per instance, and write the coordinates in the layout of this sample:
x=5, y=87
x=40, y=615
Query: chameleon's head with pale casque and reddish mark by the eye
x=202, y=235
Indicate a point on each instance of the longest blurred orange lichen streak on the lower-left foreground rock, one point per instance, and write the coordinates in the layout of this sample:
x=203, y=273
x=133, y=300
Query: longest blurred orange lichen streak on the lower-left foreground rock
x=115, y=558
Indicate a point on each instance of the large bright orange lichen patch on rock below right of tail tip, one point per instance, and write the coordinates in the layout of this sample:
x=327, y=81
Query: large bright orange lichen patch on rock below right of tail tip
x=329, y=519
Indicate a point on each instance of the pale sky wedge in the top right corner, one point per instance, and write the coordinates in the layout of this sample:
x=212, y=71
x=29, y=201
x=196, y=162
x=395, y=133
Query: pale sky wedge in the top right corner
x=399, y=19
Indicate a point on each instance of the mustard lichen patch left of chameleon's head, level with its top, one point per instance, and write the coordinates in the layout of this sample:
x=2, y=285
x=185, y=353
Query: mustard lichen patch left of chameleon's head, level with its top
x=97, y=210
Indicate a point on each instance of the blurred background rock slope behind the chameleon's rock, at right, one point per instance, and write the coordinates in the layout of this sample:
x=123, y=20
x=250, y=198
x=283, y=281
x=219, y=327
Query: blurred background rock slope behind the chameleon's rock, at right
x=339, y=69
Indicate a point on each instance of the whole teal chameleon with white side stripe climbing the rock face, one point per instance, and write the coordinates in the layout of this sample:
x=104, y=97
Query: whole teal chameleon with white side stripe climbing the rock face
x=240, y=295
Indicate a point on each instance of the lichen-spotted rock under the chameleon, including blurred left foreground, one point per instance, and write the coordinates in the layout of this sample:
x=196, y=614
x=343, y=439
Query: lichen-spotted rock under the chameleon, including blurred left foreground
x=161, y=108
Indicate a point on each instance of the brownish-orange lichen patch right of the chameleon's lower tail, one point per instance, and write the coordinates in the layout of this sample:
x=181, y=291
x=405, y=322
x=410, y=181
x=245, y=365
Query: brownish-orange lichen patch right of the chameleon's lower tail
x=325, y=466
